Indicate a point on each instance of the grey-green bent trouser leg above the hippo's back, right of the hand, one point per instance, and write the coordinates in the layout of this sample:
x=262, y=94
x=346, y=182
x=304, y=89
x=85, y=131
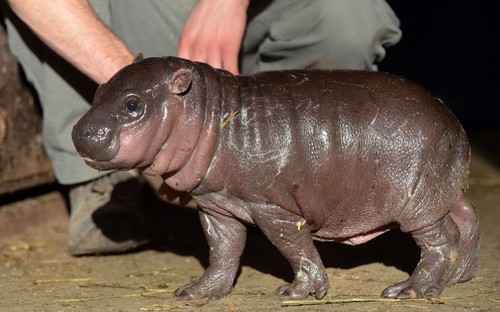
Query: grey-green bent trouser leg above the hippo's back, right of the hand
x=321, y=34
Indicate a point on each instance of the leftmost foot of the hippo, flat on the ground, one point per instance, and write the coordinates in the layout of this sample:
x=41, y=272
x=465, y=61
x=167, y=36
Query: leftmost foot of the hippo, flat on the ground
x=203, y=289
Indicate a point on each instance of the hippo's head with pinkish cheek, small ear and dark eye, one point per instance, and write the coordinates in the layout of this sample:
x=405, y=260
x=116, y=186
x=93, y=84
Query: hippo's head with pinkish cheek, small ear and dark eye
x=133, y=115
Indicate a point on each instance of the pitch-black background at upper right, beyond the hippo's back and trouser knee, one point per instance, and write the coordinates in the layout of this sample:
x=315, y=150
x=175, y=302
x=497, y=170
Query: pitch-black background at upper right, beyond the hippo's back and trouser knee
x=451, y=48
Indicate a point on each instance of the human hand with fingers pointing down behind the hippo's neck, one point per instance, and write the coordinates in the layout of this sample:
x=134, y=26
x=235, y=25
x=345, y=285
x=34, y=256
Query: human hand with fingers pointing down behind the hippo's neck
x=213, y=33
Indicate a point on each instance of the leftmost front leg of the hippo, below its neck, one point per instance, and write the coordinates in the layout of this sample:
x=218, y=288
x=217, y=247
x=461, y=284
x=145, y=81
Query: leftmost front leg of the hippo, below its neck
x=226, y=238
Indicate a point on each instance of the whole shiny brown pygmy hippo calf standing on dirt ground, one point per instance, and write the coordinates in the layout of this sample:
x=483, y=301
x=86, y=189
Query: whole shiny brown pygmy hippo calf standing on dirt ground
x=303, y=154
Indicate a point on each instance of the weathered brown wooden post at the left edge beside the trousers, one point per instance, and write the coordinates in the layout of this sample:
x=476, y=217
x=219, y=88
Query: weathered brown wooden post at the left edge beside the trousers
x=23, y=162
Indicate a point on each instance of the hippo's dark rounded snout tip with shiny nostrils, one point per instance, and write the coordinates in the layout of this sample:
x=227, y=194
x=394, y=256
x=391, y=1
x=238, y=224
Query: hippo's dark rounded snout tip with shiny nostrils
x=95, y=143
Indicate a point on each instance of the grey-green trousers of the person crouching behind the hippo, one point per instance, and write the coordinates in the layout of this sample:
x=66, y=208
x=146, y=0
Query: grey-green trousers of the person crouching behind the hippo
x=280, y=34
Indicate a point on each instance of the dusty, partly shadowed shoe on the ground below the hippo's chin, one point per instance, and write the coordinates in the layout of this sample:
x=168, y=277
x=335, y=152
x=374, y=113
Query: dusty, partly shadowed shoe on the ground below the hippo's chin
x=106, y=215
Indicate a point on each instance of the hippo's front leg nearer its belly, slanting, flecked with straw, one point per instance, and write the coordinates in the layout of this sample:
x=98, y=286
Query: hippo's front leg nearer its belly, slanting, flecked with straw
x=292, y=236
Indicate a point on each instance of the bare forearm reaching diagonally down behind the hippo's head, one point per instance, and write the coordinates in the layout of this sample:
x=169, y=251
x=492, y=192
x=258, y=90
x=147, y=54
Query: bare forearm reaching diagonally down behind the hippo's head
x=72, y=30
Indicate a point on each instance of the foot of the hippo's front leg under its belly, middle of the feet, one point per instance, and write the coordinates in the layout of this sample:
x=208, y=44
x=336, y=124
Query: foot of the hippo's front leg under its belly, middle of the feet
x=307, y=282
